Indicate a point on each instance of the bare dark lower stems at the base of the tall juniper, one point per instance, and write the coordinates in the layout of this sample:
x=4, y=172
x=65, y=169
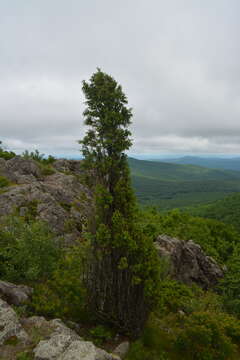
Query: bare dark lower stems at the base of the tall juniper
x=114, y=298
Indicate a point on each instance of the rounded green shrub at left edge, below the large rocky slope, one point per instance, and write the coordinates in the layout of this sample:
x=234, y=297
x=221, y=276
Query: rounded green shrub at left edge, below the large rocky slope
x=28, y=251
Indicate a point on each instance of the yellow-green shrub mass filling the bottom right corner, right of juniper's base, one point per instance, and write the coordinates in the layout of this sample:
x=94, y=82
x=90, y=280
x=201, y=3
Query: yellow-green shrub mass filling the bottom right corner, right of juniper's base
x=201, y=330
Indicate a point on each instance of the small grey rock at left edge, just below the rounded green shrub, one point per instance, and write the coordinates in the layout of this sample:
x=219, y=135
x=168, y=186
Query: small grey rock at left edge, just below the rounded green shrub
x=14, y=294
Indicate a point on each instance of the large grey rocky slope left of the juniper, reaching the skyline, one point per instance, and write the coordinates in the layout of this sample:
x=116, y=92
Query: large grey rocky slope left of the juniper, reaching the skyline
x=60, y=198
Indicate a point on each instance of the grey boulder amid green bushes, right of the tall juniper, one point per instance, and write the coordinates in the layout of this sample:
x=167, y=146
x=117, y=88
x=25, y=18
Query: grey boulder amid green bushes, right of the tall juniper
x=188, y=262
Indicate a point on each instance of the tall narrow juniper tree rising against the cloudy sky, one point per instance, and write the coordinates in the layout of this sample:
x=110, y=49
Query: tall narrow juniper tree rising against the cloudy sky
x=124, y=265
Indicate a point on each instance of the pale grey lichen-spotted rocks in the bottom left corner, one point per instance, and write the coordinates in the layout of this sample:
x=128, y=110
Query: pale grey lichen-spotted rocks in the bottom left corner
x=43, y=340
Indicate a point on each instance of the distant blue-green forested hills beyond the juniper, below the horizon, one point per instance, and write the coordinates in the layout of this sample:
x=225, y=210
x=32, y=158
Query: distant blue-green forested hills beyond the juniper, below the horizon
x=168, y=186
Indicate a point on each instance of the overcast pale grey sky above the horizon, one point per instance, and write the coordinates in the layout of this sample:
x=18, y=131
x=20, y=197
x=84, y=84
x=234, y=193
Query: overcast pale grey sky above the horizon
x=178, y=61
